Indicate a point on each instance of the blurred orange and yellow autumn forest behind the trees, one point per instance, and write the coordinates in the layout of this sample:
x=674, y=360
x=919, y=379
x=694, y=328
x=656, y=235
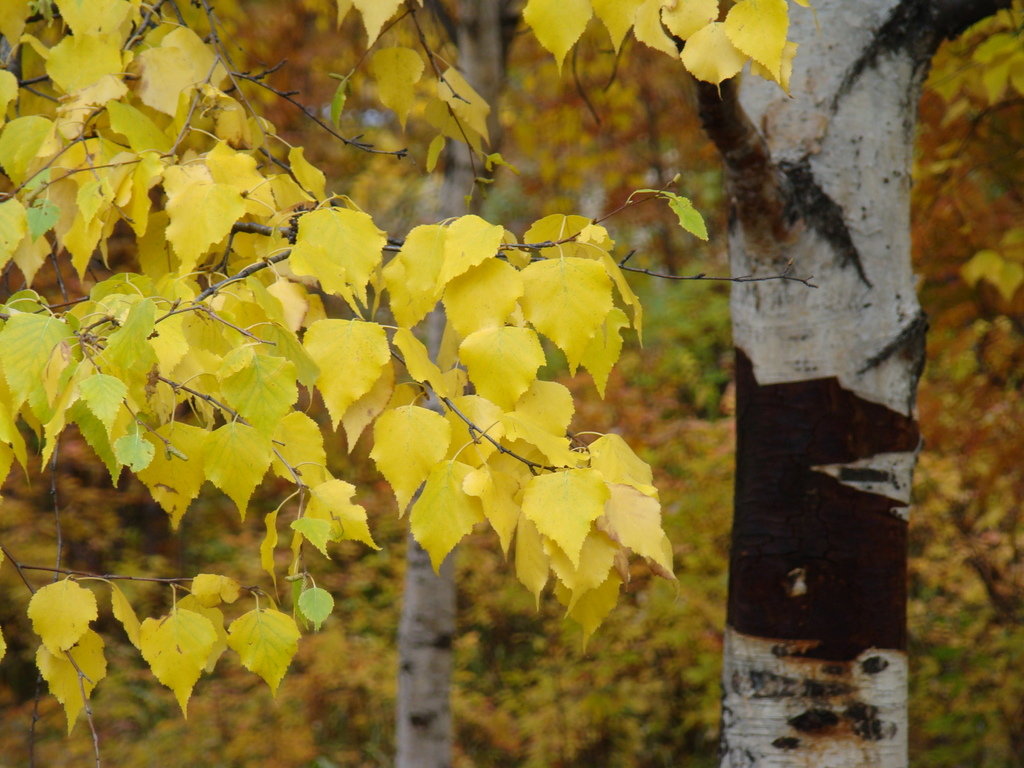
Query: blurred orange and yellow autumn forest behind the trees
x=646, y=693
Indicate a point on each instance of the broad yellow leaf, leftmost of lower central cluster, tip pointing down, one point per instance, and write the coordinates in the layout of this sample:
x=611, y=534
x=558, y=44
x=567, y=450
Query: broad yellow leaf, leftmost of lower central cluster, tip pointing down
x=409, y=441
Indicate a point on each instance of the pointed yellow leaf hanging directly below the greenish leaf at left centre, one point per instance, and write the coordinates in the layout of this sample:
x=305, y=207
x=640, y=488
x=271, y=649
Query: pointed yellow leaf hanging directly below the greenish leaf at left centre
x=236, y=457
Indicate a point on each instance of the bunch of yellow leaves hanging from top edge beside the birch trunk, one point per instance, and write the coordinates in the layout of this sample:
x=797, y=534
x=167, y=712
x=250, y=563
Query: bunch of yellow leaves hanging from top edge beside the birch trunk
x=714, y=42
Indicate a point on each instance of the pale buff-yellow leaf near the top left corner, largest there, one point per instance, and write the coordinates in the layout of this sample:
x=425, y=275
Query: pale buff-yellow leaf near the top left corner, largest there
x=181, y=63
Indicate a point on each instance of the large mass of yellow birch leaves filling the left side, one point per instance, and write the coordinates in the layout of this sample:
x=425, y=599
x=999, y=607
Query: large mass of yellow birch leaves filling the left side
x=190, y=369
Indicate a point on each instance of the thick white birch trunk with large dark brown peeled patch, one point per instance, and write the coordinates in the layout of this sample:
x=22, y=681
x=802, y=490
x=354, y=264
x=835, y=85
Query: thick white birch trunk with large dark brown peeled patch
x=816, y=668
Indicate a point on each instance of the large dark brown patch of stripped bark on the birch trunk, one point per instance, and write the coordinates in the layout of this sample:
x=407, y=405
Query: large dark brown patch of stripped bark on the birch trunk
x=851, y=548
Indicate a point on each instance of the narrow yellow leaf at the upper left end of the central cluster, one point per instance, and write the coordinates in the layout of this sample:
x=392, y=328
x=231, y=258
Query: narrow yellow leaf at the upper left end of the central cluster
x=411, y=278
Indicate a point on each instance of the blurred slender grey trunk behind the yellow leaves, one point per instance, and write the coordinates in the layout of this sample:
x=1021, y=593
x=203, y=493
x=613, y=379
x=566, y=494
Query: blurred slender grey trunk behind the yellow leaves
x=424, y=735
